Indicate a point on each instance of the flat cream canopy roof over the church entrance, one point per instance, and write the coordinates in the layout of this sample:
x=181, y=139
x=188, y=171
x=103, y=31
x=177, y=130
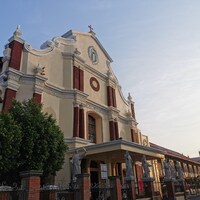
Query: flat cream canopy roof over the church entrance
x=115, y=150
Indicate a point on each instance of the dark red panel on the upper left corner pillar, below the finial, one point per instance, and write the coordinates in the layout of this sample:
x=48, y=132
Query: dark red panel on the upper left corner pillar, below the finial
x=16, y=53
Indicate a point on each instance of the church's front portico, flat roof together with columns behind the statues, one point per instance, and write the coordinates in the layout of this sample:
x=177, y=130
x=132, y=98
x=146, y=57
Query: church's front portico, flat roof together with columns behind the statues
x=112, y=154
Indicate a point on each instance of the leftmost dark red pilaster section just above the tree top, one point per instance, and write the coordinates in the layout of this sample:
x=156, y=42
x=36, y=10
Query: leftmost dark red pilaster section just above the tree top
x=8, y=98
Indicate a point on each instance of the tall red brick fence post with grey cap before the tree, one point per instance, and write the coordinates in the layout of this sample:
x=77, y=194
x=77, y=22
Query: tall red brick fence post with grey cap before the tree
x=31, y=183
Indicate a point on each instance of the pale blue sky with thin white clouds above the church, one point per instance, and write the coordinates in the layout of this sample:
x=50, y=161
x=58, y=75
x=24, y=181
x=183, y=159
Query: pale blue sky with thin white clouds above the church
x=155, y=46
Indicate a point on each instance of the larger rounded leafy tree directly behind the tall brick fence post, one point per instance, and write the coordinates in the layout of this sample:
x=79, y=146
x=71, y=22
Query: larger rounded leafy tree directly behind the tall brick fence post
x=42, y=144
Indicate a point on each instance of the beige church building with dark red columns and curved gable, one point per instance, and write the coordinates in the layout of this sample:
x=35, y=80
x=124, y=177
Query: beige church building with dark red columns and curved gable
x=72, y=77
